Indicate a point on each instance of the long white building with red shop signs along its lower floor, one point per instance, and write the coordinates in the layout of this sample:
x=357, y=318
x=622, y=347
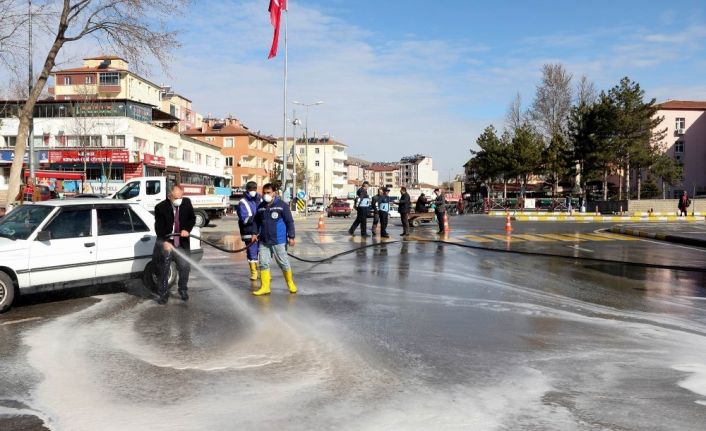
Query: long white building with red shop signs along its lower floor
x=107, y=142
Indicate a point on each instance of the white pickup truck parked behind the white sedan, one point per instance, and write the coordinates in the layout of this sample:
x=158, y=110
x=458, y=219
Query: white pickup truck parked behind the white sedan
x=149, y=191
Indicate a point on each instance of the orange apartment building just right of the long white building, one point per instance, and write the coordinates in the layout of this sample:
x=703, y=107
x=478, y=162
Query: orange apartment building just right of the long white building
x=248, y=155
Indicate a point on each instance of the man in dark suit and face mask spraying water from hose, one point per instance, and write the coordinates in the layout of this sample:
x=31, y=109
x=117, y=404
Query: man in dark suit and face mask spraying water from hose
x=174, y=215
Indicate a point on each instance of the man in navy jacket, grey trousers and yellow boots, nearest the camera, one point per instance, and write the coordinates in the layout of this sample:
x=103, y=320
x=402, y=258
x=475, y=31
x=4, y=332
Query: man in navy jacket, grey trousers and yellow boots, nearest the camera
x=275, y=230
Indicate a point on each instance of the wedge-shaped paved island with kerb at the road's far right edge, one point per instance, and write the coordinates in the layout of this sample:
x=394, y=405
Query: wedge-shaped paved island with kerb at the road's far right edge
x=680, y=233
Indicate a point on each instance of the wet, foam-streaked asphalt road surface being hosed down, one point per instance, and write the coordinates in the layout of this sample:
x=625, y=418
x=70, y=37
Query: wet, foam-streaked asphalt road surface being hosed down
x=405, y=334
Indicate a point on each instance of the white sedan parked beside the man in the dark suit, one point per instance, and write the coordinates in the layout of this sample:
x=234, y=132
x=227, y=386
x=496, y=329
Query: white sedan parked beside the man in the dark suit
x=57, y=244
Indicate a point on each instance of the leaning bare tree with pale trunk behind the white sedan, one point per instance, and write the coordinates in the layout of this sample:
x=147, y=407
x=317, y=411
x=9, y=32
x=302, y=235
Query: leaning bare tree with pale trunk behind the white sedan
x=133, y=29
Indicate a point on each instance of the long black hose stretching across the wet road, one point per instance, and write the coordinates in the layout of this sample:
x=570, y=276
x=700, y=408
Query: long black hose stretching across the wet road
x=466, y=246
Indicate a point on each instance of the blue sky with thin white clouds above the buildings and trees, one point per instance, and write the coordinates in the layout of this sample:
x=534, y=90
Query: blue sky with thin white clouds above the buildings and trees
x=403, y=77
